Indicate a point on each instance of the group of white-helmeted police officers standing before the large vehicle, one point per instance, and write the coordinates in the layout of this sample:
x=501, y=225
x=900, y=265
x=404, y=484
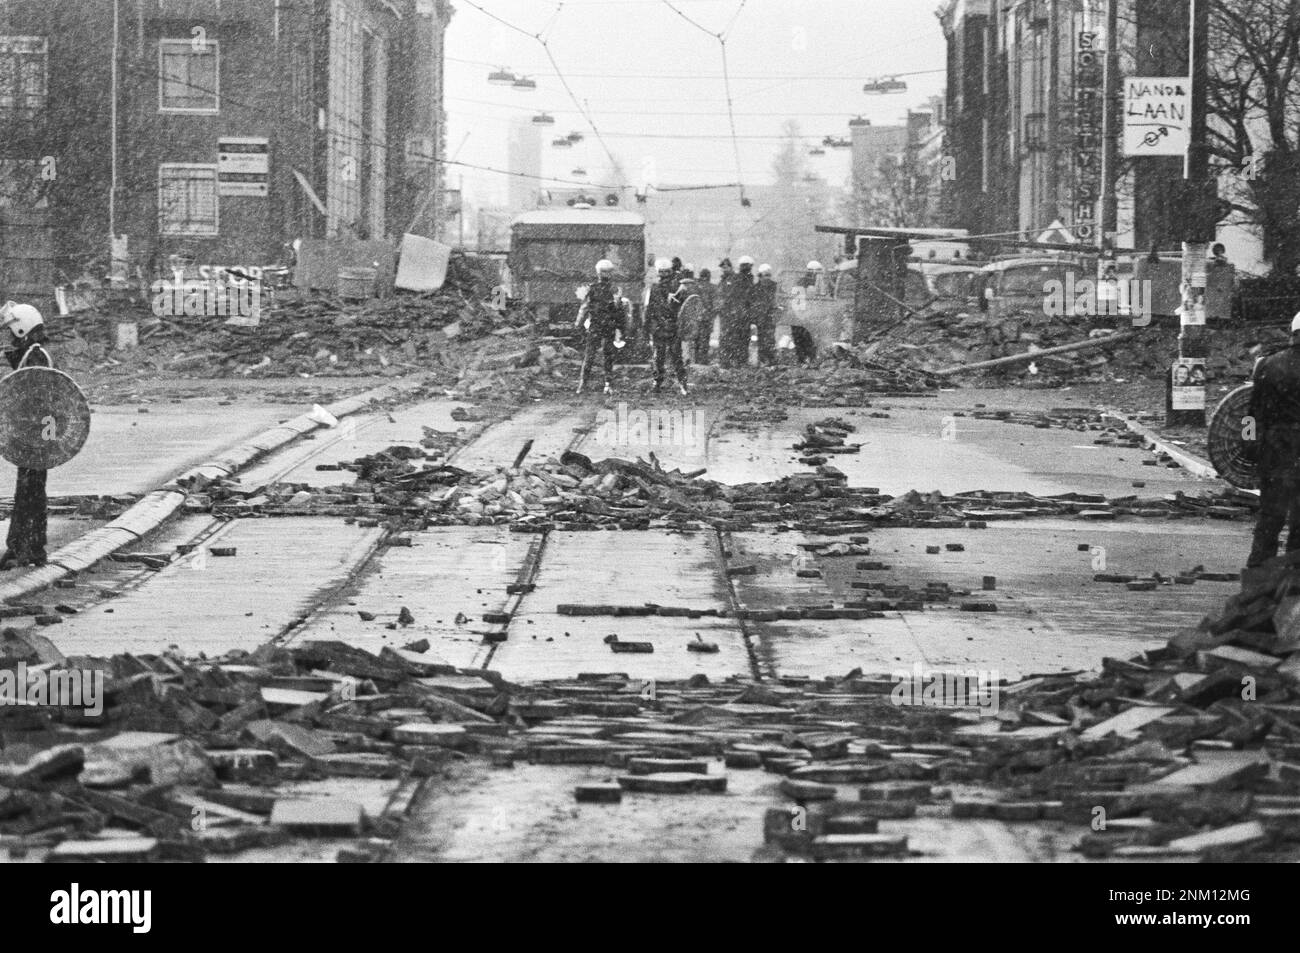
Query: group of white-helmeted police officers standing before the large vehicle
x=682, y=309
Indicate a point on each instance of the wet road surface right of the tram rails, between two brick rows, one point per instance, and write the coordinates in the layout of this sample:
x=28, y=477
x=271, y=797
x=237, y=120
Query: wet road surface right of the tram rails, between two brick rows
x=1051, y=614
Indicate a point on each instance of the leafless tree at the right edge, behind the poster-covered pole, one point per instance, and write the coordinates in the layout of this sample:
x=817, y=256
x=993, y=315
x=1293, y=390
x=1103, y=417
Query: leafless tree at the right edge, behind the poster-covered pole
x=1255, y=119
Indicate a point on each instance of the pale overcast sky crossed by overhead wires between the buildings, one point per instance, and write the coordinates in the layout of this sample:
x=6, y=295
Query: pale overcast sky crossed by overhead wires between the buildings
x=649, y=77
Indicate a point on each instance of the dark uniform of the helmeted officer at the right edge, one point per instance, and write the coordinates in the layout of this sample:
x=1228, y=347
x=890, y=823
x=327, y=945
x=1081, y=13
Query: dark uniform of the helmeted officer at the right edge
x=1276, y=410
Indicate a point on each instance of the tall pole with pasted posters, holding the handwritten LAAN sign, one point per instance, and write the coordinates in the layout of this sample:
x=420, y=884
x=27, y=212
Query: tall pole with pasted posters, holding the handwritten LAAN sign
x=1188, y=400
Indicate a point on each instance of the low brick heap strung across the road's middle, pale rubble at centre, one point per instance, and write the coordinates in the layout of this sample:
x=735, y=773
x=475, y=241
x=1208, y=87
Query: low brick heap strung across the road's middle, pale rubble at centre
x=409, y=487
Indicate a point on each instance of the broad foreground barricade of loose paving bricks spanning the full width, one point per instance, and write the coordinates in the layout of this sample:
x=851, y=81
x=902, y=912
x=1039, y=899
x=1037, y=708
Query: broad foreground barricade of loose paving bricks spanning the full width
x=1188, y=751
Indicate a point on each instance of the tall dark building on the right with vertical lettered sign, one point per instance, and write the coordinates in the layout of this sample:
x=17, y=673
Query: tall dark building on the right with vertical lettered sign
x=1025, y=122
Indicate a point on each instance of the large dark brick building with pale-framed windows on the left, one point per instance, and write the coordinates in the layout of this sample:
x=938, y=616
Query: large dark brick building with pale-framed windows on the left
x=242, y=125
